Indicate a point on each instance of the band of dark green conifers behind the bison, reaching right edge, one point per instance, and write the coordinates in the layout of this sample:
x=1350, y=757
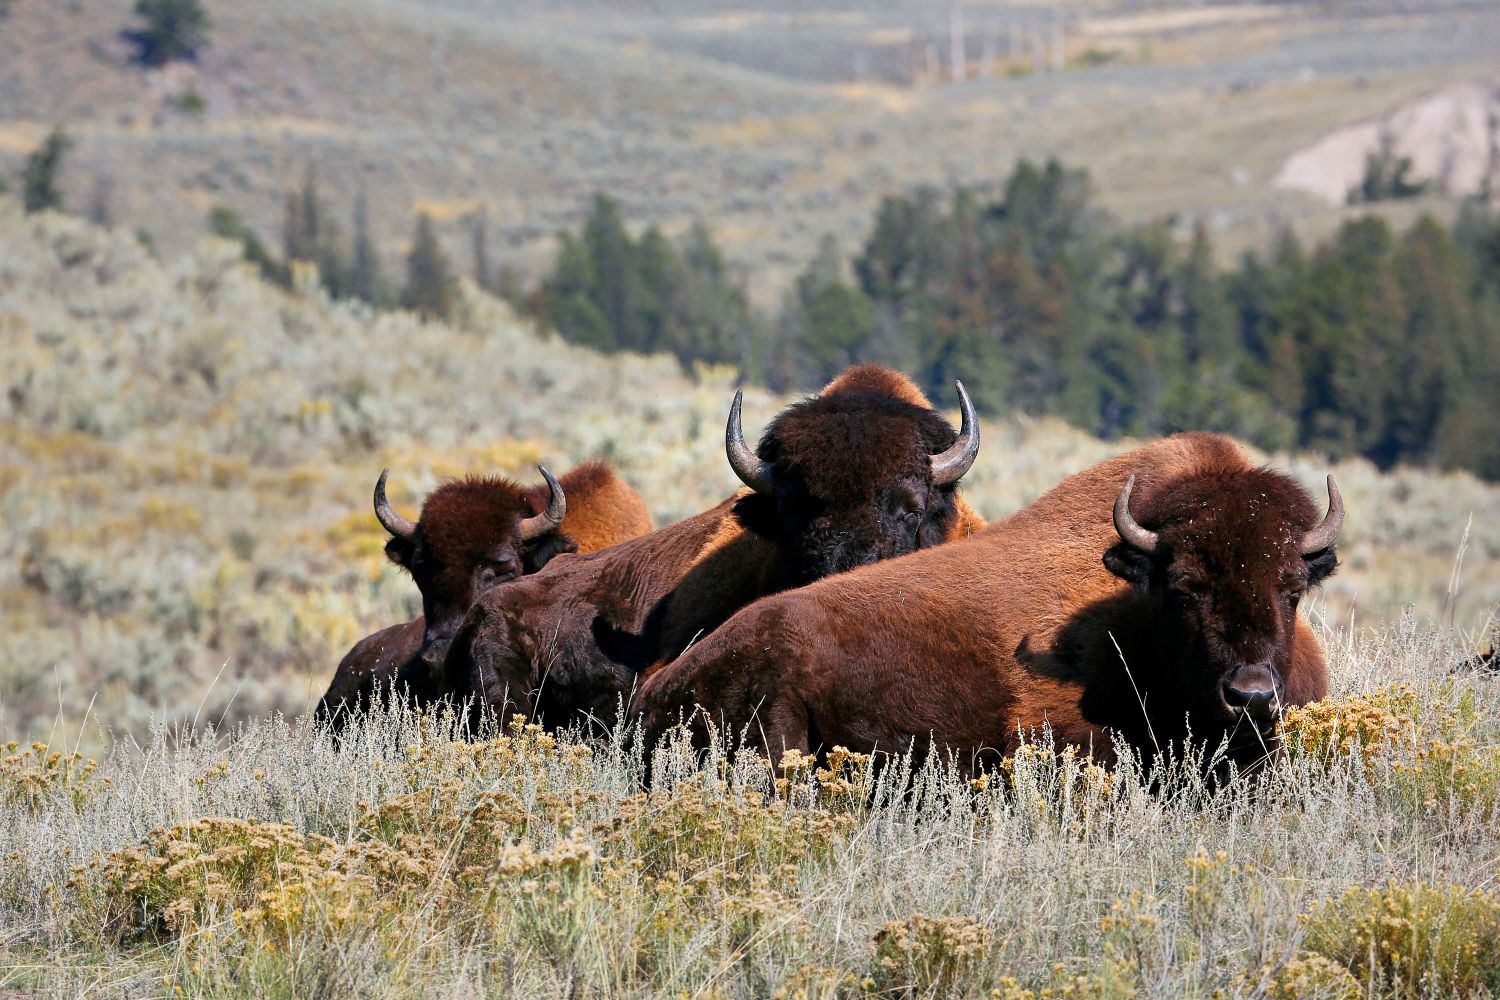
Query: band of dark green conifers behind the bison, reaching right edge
x=1373, y=343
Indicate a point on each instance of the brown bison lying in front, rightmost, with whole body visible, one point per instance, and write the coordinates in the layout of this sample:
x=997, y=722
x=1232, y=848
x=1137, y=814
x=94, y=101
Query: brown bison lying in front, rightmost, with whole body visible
x=1148, y=594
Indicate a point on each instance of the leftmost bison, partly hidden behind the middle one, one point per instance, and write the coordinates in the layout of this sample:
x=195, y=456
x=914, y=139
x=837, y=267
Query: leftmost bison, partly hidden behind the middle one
x=476, y=534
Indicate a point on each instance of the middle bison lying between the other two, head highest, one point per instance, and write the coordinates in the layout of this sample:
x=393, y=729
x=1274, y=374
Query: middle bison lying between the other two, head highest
x=863, y=472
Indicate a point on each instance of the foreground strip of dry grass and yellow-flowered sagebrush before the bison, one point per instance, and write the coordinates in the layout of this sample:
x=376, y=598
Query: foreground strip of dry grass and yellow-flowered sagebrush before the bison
x=274, y=863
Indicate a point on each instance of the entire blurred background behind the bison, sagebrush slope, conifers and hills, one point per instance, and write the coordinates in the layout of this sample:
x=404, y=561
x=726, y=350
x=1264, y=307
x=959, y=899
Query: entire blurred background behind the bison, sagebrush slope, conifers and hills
x=251, y=254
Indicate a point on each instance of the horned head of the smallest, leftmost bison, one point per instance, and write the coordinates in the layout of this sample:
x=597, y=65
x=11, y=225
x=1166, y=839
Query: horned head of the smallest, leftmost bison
x=475, y=534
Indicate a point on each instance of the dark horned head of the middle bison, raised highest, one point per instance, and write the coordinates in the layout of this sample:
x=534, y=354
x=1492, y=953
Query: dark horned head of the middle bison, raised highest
x=853, y=478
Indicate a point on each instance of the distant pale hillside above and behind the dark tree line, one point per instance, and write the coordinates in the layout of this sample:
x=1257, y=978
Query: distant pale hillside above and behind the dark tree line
x=776, y=125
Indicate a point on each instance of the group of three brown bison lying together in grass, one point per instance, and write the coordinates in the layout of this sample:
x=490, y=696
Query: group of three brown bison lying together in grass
x=848, y=596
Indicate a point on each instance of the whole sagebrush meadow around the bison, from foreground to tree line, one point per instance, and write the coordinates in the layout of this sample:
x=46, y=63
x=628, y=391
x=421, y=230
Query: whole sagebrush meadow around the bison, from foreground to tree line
x=188, y=548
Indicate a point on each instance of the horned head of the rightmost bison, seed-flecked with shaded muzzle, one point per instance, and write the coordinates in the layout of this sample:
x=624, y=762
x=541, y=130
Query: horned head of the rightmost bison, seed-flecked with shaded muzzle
x=1225, y=558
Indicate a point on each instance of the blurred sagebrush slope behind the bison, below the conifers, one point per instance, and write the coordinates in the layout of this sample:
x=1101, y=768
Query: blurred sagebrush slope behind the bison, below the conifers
x=188, y=457
